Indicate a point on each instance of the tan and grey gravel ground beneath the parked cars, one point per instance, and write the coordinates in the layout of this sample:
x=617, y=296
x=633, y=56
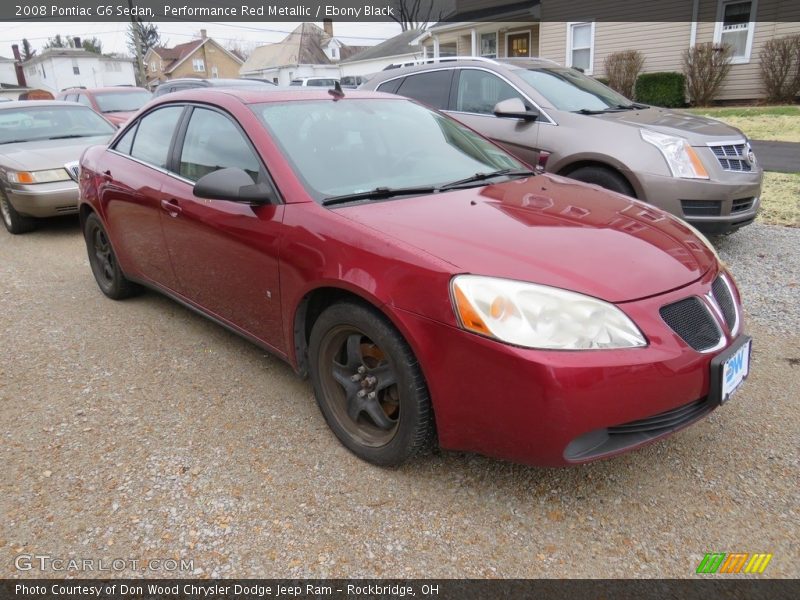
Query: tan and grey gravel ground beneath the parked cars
x=138, y=430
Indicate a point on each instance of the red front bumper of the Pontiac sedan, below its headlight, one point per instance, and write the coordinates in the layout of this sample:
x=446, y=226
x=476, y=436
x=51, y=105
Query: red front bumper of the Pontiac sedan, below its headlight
x=531, y=406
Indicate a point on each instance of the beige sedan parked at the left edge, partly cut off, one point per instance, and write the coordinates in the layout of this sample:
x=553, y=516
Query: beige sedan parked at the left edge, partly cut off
x=40, y=144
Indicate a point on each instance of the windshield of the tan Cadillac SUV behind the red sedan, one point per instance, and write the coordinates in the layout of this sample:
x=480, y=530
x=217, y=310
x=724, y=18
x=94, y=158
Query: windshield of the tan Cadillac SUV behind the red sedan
x=571, y=90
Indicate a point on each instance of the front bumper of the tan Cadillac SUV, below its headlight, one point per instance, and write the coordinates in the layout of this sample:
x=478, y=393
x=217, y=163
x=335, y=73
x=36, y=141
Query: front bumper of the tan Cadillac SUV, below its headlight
x=710, y=205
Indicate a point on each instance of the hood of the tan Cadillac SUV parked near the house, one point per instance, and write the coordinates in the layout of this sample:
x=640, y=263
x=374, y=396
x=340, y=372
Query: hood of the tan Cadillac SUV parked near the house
x=698, y=130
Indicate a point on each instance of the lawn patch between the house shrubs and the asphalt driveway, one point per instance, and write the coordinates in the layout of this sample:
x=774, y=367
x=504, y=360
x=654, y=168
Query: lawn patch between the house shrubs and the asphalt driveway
x=771, y=123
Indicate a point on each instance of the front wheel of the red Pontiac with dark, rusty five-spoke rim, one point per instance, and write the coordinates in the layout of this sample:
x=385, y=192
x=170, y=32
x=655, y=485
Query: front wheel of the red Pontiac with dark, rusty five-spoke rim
x=369, y=386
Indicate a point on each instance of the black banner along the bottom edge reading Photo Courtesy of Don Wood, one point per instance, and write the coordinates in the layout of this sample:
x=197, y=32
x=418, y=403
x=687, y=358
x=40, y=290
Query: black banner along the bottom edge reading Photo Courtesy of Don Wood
x=710, y=588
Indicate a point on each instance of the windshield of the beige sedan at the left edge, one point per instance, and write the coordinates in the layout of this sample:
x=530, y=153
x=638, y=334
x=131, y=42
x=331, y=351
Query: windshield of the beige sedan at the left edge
x=51, y=122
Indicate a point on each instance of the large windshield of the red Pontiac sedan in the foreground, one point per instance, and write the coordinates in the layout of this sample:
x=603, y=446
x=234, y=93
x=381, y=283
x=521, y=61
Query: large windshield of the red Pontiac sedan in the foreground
x=352, y=146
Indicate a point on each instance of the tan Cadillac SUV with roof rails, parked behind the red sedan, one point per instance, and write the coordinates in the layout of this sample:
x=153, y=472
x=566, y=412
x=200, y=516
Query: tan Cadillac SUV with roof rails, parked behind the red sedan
x=694, y=167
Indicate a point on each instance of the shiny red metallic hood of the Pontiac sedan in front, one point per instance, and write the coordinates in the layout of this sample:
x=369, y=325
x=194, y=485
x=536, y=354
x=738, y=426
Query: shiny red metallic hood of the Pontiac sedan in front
x=548, y=230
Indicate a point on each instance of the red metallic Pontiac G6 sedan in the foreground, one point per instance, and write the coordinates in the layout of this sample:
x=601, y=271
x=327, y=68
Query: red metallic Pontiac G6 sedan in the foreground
x=430, y=284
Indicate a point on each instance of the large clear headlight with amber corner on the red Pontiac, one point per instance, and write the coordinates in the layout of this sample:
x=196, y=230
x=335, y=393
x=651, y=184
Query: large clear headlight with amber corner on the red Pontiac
x=540, y=316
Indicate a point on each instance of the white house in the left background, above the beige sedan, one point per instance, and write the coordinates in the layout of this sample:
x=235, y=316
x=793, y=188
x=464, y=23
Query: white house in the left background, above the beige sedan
x=58, y=68
